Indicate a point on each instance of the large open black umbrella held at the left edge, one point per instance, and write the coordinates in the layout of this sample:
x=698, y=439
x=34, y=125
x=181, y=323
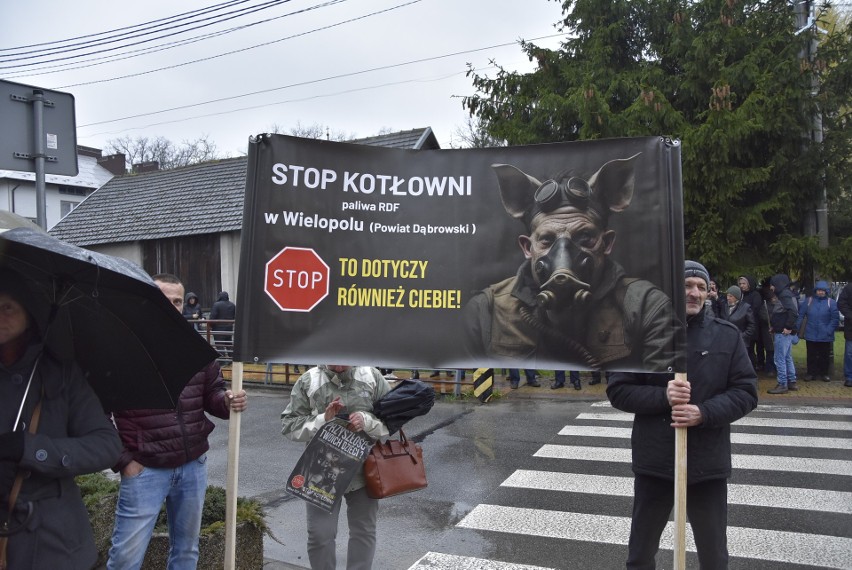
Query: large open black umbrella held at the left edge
x=136, y=350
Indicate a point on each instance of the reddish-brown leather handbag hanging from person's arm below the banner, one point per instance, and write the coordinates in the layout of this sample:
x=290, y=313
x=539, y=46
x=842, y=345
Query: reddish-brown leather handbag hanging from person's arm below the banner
x=394, y=467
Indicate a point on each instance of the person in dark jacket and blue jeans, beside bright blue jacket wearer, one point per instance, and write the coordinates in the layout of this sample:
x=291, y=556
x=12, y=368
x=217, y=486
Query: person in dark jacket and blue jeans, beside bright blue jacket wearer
x=782, y=320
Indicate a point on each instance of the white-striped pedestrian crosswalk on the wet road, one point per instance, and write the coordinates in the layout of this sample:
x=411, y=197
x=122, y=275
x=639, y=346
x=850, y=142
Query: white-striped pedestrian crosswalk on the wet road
x=790, y=497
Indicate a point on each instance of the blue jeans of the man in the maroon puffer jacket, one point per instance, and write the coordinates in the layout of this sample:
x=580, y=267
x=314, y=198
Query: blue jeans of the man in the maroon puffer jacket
x=139, y=501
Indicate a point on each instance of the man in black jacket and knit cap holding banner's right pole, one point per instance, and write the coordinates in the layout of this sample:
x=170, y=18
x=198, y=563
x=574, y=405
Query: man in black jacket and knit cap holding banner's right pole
x=721, y=388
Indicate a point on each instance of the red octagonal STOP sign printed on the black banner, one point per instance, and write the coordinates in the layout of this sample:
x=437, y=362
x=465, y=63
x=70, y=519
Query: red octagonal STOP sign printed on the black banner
x=296, y=279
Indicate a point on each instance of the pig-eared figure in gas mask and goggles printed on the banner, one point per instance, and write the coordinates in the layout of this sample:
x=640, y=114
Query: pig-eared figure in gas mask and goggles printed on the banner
x=569, y=302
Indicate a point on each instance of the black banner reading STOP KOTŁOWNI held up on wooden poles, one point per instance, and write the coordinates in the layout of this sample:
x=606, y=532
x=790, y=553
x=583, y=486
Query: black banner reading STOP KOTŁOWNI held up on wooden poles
x=555, y=256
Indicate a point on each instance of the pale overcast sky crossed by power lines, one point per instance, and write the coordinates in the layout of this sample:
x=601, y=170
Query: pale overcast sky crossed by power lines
x=315, y=66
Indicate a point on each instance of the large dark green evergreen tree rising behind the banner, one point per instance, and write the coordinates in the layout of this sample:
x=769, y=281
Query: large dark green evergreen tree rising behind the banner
x=731, y=80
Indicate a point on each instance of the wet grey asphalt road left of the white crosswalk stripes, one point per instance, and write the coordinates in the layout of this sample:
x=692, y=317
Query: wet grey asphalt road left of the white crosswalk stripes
x=467, y=456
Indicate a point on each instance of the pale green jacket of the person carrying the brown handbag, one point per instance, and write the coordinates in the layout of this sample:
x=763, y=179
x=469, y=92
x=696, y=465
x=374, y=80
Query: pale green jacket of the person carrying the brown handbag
x=357, y=387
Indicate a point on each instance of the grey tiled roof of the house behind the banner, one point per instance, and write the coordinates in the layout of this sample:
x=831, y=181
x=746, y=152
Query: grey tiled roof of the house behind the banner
x=200, y=199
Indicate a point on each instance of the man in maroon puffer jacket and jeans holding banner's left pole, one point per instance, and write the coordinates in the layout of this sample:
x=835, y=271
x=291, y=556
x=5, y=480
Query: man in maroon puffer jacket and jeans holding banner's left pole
x=164, y=460
